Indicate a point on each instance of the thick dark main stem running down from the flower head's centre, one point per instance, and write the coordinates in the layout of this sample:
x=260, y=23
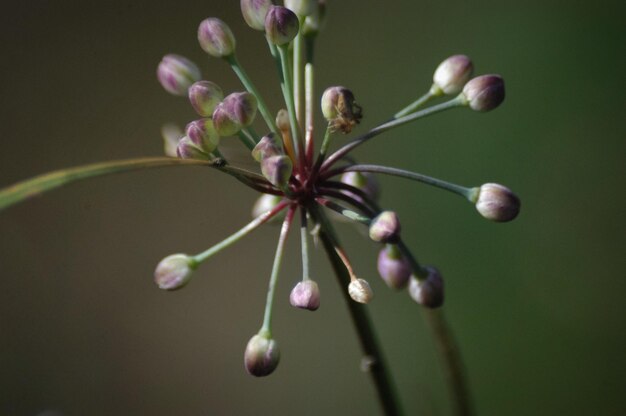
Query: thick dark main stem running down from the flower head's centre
x=372, y=353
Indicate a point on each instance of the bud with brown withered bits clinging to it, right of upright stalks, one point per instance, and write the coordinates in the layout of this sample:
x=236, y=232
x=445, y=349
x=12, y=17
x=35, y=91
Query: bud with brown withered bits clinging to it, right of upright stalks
x=340, y=109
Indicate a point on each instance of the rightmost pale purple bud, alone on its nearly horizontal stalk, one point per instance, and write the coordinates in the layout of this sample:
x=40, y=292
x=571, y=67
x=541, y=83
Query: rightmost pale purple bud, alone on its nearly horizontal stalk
x=497, y=202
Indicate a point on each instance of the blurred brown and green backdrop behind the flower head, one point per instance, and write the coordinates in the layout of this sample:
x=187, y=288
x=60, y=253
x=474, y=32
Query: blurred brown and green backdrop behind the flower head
x=536, y=304
